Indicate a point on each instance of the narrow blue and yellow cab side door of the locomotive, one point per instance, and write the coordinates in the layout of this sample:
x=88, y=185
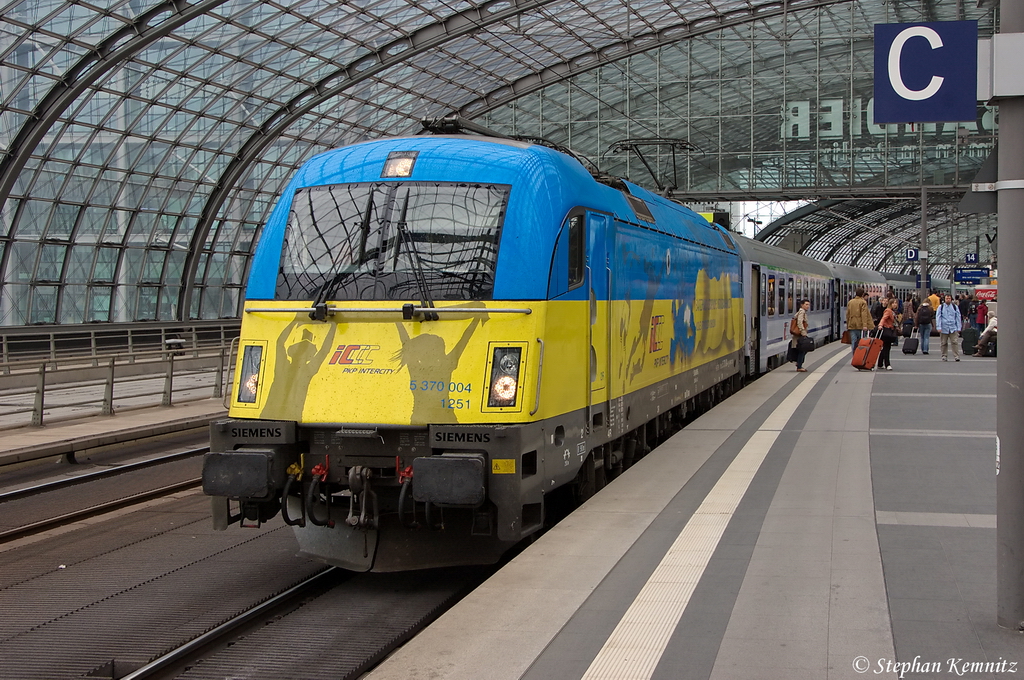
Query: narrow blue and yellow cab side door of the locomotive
x=600, y=329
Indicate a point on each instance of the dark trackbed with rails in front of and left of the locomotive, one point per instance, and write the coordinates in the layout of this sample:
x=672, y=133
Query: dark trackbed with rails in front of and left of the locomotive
x=158, y=594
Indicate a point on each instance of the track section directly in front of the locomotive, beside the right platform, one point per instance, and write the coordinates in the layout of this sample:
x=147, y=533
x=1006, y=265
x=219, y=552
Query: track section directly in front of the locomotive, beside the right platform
x=345, y=623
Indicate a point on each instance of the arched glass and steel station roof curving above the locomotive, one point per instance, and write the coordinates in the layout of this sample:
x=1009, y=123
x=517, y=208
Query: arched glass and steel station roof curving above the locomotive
x=143, y=144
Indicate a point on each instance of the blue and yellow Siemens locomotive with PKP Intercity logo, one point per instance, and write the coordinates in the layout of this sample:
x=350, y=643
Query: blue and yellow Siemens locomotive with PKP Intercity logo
x=445, y=335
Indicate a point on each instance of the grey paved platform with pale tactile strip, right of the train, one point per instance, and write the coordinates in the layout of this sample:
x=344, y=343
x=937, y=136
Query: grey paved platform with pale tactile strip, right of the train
x=834, y=524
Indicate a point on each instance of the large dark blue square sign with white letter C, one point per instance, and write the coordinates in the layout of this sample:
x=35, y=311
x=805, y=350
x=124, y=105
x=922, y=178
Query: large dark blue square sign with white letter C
x=926, y=73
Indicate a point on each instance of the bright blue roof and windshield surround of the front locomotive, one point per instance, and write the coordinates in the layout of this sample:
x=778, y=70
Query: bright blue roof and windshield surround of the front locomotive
x=546, y=185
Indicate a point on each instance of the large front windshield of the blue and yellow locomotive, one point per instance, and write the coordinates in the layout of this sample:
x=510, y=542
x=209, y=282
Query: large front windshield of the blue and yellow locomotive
x=389, y=241
